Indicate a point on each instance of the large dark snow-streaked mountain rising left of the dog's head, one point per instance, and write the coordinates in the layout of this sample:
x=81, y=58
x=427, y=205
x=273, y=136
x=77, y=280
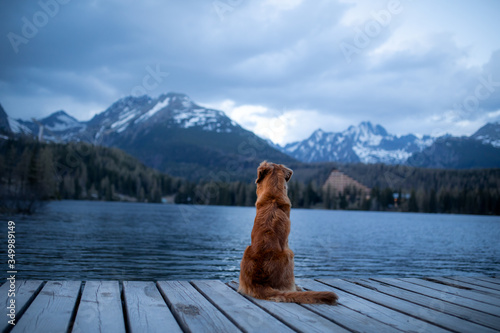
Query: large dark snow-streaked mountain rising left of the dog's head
x=170, y=133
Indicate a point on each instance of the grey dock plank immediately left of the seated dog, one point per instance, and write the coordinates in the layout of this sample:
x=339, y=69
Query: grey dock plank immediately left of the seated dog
x=247, y=316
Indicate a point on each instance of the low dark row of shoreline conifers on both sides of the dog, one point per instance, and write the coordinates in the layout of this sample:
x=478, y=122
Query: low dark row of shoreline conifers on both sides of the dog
x=310, y=195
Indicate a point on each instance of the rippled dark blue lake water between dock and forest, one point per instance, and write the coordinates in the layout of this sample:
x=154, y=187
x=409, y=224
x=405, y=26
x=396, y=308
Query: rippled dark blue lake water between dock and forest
x=111, y=240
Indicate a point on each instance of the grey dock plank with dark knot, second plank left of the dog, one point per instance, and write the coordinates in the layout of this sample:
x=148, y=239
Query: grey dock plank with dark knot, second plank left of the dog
x=192, y=310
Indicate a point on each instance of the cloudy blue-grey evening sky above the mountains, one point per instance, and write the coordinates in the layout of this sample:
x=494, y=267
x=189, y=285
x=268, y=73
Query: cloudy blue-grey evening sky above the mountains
x=281, y=68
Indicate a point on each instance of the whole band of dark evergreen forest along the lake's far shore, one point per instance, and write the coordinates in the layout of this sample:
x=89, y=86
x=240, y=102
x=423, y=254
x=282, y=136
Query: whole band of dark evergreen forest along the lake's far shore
x=32, y=173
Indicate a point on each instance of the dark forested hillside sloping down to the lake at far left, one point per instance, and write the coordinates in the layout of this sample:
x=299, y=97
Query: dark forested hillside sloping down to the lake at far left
x=33, y=172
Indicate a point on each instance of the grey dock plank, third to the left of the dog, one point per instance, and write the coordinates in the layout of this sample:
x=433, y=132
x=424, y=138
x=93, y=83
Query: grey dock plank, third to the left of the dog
x=146, y=309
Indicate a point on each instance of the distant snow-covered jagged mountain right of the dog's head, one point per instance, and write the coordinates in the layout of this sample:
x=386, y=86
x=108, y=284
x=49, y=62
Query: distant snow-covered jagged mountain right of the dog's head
x=363, y=143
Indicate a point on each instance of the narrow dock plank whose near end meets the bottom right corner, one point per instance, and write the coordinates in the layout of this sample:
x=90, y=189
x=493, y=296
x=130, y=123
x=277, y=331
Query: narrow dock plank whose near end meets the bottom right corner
x=438, y=318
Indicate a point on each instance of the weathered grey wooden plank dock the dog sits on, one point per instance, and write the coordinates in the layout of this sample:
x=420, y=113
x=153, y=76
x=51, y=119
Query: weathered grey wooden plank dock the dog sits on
x=434, y=304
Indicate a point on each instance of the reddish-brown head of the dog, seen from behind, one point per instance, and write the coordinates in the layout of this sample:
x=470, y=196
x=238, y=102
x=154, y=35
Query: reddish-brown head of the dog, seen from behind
x=272, y=176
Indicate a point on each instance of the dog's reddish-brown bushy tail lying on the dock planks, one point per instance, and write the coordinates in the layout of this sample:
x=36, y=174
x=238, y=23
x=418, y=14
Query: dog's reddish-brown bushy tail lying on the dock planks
x=304, y=297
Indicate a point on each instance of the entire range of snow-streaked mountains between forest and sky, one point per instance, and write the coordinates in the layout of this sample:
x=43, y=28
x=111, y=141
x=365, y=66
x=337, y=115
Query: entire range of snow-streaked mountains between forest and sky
x=174, y=134
